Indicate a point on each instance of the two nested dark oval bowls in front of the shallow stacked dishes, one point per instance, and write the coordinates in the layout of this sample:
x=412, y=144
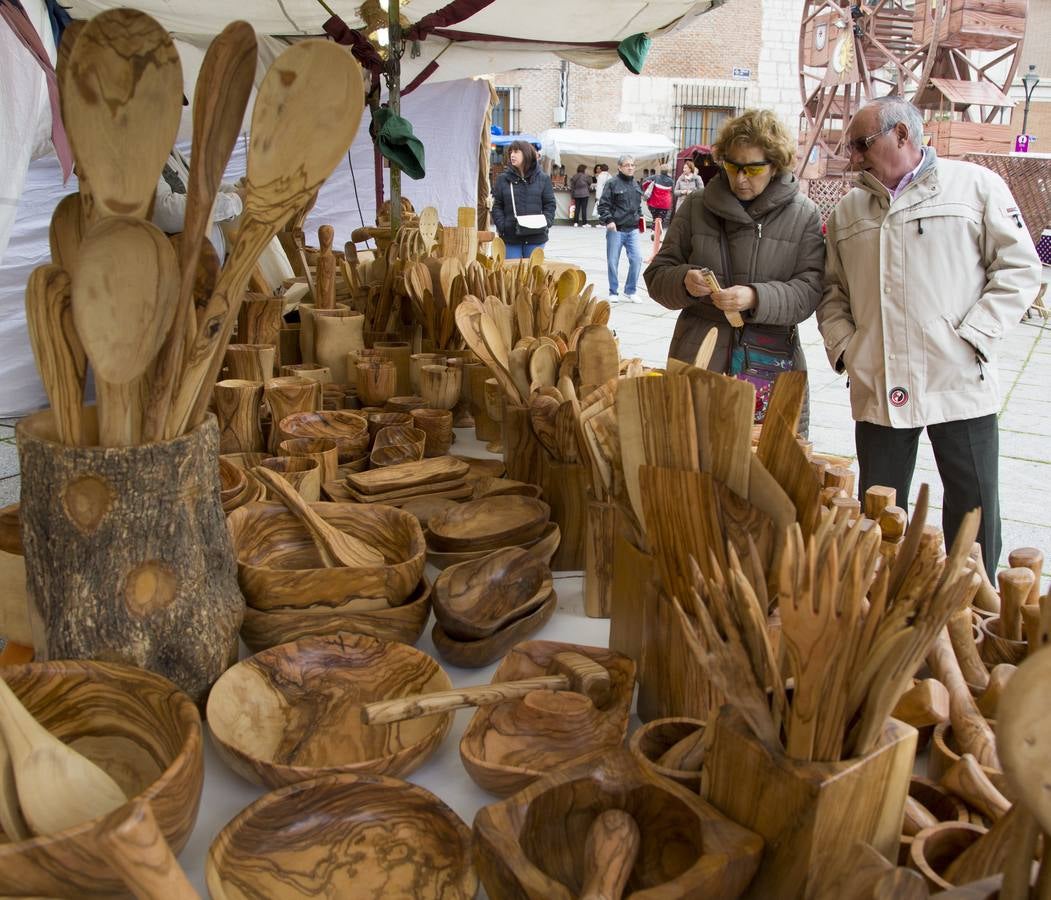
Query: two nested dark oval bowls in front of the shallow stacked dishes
x=485, y=607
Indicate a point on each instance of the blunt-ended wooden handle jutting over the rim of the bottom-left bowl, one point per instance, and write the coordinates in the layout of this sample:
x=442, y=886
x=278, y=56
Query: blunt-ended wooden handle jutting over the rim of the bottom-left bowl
x=140, y=854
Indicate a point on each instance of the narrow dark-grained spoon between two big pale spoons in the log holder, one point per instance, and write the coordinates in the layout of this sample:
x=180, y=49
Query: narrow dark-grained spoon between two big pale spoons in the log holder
x=220, y=99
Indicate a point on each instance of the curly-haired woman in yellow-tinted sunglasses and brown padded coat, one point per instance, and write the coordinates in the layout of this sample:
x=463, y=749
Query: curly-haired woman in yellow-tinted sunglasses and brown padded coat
x=759, y=236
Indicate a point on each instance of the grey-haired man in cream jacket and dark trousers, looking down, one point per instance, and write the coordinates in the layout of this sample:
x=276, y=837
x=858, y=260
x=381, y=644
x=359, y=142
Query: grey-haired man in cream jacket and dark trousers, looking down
x=929, y=267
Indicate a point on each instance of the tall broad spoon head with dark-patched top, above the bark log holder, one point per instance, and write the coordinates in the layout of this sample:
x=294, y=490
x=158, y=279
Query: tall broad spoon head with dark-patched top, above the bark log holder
x=125, y=109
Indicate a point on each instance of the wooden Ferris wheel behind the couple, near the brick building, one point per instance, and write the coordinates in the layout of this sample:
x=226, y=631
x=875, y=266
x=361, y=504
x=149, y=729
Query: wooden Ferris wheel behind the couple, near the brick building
x=955, y=59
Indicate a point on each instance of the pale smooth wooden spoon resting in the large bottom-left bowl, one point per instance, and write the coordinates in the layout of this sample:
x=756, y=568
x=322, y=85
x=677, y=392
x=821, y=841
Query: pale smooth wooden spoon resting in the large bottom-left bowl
x=57, y=787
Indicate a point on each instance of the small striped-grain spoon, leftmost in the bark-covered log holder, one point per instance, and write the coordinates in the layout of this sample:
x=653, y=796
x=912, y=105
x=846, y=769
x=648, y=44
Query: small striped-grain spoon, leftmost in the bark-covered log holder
x=60, y=356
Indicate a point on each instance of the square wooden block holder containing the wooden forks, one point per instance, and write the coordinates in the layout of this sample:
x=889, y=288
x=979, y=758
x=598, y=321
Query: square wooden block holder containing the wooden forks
x=811, y=814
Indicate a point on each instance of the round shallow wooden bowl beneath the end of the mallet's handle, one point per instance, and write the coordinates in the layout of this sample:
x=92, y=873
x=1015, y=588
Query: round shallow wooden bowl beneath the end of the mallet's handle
x=292, y=712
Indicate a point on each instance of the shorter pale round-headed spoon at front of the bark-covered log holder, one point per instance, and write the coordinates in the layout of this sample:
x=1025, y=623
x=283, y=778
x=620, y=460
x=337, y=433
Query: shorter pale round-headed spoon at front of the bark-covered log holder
x=123, y=303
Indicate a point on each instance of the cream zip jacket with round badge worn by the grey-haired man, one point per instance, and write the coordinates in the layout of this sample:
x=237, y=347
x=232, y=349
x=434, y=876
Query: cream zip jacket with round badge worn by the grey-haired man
x=920, y=292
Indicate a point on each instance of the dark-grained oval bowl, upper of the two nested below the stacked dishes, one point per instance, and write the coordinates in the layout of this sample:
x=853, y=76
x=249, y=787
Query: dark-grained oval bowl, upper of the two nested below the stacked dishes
x=477, y=599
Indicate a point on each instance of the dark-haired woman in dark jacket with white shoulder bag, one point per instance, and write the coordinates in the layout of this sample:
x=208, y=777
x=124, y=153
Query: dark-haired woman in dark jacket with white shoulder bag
x=523, y=190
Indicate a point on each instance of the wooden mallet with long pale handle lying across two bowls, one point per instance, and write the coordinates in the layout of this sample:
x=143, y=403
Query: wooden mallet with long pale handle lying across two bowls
x=572, y=672
